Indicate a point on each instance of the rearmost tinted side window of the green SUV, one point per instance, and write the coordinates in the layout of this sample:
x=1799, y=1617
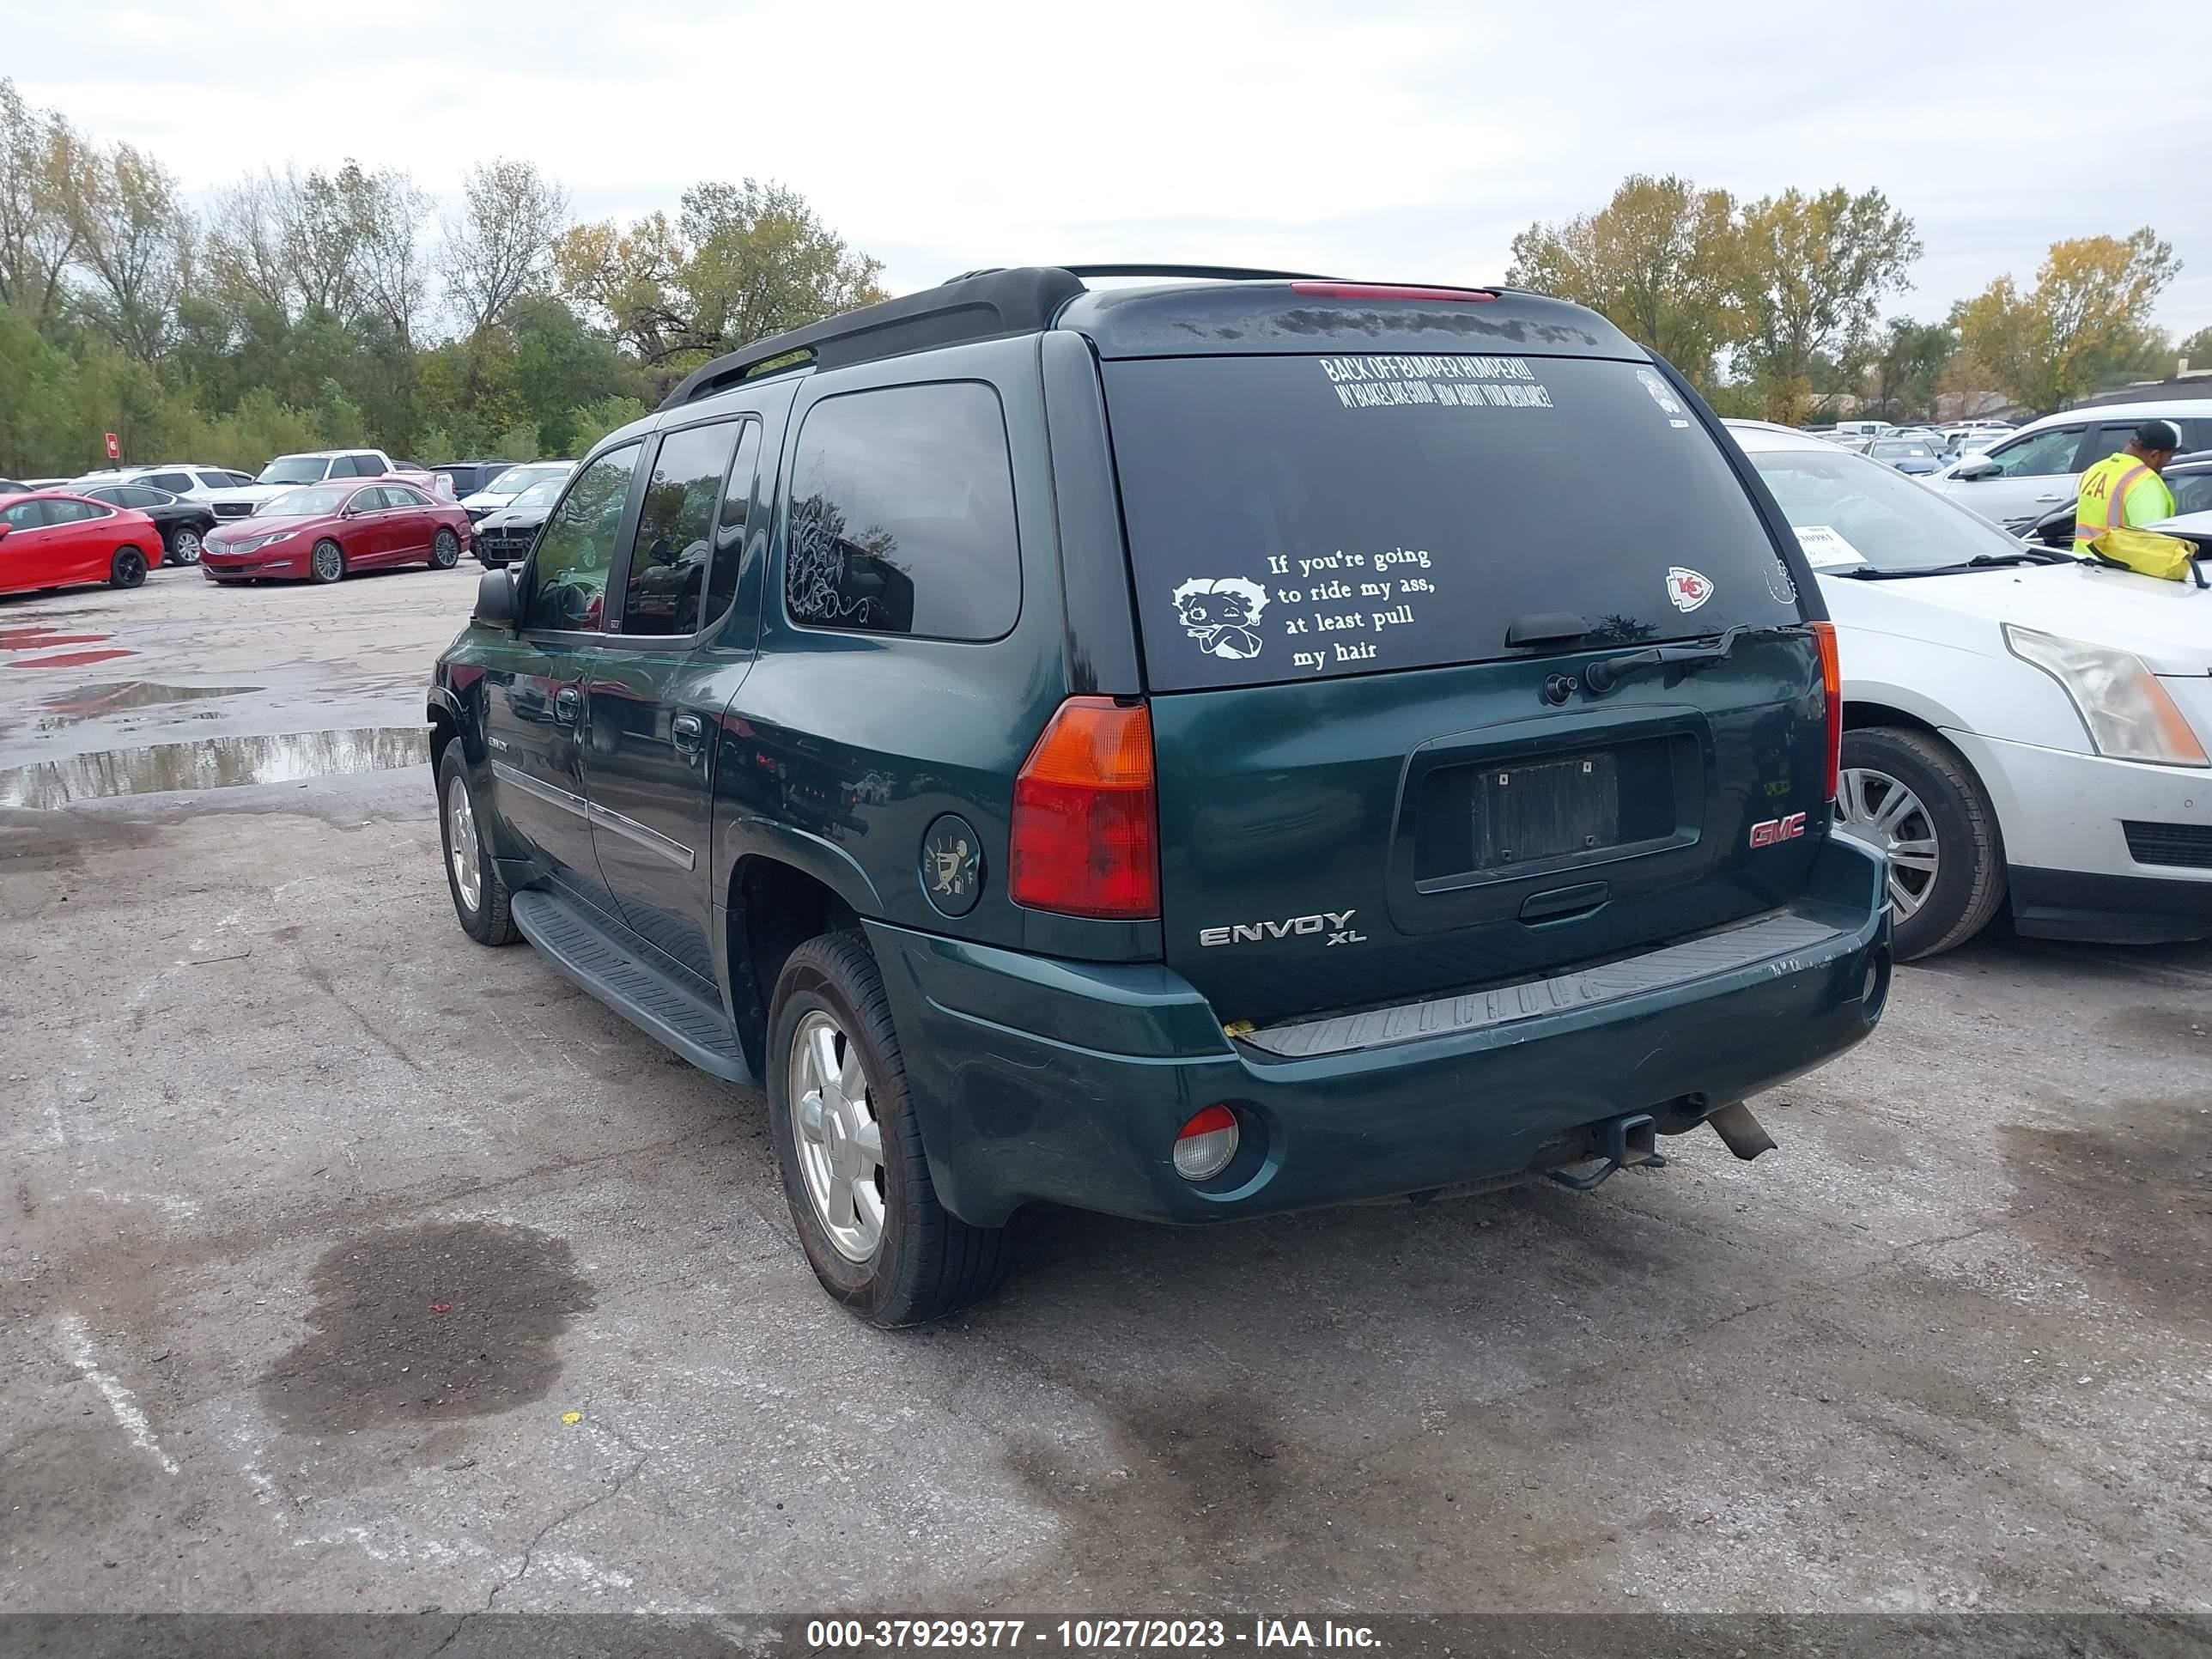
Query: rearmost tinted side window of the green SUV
x=904, y=514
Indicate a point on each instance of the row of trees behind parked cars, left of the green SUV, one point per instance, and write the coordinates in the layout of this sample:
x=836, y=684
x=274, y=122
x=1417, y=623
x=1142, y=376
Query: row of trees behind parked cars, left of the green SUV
x=333, y=306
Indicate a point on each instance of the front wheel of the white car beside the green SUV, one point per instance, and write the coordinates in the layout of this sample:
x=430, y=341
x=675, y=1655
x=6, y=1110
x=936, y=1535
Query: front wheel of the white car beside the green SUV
x=1914, y=797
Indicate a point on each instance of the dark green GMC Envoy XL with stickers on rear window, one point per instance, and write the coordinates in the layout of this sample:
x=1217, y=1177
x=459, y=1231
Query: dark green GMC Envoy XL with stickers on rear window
x=1180, y=749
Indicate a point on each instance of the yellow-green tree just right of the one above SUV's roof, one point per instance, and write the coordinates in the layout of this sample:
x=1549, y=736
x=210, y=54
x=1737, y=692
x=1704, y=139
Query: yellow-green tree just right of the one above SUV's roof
x=1808, y=278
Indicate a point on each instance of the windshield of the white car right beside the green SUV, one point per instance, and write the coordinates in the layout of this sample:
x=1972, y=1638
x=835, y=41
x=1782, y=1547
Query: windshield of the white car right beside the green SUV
x=1855, y=514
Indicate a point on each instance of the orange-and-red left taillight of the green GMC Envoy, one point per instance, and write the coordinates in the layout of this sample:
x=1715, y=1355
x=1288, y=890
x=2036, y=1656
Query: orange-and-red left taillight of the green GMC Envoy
x=1087, y=815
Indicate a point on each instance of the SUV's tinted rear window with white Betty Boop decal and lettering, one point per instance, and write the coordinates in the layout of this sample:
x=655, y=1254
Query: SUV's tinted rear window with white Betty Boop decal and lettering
x=1302, y=517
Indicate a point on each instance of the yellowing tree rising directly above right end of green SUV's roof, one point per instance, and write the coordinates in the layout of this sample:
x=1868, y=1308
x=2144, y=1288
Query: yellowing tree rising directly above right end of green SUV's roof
x=1653, y=262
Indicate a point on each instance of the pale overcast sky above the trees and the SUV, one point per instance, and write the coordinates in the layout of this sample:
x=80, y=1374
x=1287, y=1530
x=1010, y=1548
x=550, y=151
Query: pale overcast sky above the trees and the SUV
x=1379, y=138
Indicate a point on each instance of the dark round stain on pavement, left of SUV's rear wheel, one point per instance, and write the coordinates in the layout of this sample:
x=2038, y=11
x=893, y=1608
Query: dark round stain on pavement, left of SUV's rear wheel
x=428, y=1324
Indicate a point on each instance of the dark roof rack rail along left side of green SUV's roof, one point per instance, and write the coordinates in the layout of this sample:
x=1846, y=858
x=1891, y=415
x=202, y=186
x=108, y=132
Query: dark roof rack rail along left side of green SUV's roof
x=977, y=306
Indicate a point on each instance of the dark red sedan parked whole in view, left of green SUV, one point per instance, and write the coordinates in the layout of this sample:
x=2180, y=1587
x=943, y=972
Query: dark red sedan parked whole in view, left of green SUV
x=324, y=532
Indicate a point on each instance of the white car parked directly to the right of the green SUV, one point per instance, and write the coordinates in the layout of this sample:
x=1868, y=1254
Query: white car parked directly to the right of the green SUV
x=2021, y=727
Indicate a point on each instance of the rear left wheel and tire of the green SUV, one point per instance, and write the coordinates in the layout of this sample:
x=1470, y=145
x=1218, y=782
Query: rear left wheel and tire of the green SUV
x=921, y=1262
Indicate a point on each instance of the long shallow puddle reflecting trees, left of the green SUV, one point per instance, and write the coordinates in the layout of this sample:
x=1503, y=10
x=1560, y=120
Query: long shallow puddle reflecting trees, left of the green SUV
x=213, y=764
